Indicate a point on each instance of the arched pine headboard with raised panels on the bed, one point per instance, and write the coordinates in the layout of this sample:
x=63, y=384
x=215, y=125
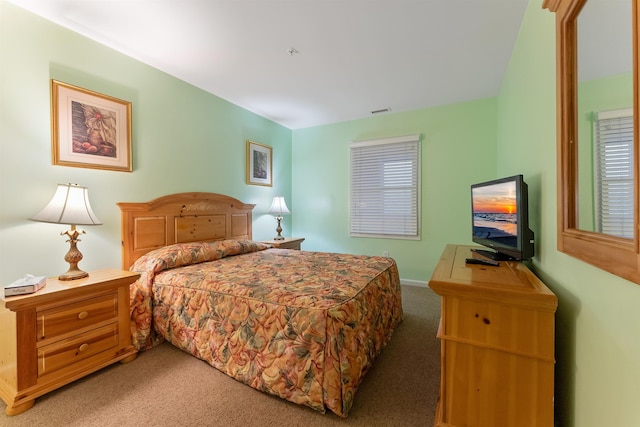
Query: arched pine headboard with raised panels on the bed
x=181, y=218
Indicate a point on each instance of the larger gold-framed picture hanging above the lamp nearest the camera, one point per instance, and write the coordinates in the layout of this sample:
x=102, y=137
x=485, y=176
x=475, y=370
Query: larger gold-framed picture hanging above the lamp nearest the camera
x=89, y=129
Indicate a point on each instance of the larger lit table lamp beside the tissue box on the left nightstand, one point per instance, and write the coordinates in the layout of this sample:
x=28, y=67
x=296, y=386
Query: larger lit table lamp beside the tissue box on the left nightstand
x=70, y=205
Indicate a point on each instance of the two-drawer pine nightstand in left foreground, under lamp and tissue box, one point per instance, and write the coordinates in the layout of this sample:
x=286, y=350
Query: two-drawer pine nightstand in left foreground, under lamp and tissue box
x=61, y=333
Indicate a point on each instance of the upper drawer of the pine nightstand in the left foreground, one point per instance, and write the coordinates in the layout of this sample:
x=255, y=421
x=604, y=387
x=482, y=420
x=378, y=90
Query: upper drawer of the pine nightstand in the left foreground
x=72, y=317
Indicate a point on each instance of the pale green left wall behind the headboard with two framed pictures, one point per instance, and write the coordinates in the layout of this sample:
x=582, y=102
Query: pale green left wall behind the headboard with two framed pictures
x=184, y=139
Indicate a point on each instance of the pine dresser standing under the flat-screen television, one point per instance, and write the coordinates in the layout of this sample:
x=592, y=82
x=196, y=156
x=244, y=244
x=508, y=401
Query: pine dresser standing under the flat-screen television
x=497, y=344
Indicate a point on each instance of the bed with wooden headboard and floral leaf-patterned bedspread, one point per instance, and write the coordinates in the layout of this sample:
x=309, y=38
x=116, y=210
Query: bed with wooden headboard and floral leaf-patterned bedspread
x=304, y=326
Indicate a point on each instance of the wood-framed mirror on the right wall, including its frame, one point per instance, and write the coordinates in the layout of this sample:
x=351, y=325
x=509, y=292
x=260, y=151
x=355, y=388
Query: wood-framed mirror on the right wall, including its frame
x=580, y=78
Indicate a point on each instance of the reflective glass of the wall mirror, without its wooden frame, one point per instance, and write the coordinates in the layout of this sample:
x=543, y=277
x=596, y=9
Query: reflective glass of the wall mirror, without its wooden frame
x=605, y=117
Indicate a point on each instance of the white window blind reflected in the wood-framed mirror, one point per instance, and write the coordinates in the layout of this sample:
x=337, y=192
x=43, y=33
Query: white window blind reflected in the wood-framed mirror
x=613, y=167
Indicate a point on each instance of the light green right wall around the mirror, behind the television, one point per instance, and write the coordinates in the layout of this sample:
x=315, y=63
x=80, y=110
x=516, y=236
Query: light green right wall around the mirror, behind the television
x=597, y=323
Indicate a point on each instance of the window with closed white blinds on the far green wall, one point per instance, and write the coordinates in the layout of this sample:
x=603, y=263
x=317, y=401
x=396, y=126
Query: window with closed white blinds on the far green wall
x=384, y=197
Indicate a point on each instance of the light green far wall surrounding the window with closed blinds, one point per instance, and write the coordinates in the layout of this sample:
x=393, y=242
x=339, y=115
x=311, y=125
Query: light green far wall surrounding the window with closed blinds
x=458, y=149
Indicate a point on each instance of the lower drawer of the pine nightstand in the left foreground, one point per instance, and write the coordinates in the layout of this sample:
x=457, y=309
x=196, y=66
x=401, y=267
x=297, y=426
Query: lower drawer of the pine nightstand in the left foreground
x=66, y=352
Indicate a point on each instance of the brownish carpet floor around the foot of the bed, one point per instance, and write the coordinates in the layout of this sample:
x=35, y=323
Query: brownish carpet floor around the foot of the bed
x=167, y=387
